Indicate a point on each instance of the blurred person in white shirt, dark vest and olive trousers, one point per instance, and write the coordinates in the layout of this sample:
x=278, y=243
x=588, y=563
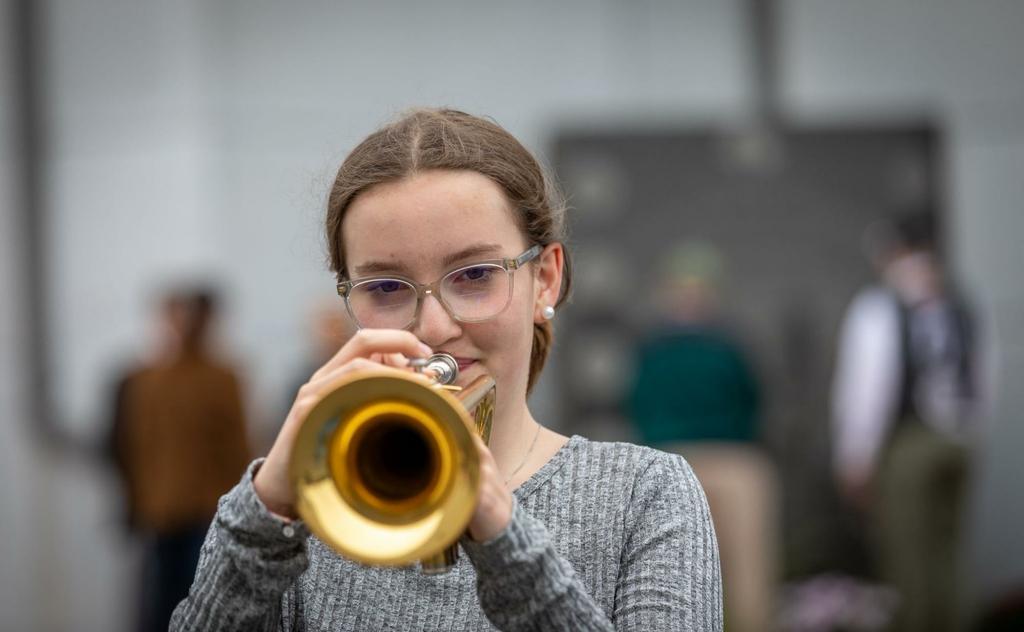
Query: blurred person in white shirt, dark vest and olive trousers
x=906, y=405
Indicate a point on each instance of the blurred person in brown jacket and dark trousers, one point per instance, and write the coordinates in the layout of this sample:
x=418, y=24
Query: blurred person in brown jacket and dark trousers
x=179, y=438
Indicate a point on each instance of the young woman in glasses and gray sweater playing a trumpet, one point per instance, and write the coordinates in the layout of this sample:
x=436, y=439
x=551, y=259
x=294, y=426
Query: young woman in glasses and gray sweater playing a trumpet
x=568, y=534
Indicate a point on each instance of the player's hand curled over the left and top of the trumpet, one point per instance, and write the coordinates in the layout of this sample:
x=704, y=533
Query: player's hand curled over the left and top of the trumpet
x=369, y=349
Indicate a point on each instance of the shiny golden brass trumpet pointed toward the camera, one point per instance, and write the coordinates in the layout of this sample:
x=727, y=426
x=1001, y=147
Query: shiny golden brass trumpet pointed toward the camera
x=385, y=466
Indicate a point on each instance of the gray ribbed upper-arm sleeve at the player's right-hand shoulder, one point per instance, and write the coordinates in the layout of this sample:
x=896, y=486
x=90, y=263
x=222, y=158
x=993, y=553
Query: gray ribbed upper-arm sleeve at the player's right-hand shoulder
x=670, y=575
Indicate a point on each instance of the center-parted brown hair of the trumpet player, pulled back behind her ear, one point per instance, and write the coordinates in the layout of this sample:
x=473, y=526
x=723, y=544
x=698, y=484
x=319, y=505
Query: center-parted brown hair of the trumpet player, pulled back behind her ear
x=424, y=140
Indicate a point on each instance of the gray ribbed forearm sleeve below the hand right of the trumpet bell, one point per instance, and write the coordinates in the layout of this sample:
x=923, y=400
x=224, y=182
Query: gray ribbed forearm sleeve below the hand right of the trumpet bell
x=524, y=584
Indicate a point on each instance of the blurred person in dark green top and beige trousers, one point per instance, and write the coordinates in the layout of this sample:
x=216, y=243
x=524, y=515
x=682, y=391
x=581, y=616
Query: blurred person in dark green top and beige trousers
x=696, y=394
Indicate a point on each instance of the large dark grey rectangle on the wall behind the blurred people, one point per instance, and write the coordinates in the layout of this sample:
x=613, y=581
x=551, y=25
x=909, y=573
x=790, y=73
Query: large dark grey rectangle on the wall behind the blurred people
x=788, y=212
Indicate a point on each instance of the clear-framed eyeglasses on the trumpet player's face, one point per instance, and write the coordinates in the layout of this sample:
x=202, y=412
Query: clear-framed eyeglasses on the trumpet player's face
x=471, y=294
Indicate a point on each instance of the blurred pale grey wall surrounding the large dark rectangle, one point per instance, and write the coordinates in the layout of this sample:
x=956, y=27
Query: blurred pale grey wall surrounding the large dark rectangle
x=201, y=138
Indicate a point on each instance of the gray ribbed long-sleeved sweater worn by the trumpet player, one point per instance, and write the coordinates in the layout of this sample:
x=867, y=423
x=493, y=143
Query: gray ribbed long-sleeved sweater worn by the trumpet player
x=604, y=537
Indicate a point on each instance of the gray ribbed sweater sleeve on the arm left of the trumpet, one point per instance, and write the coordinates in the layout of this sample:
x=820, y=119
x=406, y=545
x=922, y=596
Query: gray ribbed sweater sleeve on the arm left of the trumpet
x=248, y=568
